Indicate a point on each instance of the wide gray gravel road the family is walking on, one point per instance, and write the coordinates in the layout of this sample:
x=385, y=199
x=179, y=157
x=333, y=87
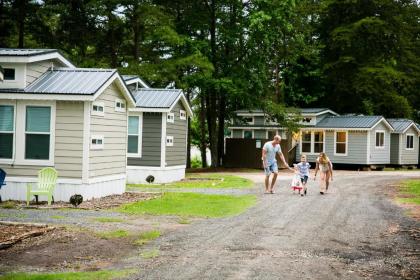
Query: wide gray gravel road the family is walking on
x=352, y=232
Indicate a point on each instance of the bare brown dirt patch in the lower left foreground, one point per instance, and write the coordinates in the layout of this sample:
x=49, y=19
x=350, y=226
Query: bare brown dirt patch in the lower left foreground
x=66, y=249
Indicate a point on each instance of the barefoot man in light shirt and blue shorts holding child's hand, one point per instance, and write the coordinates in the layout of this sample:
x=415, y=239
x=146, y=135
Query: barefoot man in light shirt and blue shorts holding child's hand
x=269, y=151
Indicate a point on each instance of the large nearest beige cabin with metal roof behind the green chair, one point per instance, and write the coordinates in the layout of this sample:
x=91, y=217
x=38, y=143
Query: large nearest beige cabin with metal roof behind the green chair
x=73, y=119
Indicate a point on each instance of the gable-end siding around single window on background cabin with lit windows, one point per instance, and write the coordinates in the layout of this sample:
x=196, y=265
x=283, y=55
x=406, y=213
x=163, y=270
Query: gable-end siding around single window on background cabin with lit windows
x=380, y=156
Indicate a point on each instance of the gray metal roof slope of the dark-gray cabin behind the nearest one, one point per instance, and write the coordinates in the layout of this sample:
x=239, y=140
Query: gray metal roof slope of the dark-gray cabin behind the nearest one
x=155, y=97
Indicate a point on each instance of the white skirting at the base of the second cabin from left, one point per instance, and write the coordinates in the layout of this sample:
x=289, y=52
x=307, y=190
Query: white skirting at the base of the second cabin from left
x=138, y=174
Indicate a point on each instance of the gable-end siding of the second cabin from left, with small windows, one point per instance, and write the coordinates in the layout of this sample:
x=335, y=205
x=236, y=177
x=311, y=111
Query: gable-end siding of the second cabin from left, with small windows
x=177, y=154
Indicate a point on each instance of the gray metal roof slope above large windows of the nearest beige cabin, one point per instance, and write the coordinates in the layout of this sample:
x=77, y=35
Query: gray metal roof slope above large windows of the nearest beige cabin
x=71, y=81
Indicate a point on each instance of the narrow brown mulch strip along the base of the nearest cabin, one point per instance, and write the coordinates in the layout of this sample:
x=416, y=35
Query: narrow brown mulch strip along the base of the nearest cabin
x=106, y=202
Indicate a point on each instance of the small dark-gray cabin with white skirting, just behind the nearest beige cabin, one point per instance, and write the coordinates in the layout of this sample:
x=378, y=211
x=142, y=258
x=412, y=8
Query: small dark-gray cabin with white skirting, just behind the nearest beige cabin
x=157, y=135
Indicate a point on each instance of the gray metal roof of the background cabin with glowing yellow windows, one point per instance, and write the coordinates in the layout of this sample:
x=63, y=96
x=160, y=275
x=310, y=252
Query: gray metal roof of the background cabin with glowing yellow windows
x=348, y=122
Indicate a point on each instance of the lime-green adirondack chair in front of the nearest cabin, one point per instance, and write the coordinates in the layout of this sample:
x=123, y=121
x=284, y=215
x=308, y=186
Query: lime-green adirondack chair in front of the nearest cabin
x=47, y=177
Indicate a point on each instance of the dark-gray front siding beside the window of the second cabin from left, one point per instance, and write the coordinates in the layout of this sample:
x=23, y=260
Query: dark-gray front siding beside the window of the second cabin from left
x=151, y=141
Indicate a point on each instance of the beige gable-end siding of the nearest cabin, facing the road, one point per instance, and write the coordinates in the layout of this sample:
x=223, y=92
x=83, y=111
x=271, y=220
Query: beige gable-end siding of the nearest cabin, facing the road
x=113, y=126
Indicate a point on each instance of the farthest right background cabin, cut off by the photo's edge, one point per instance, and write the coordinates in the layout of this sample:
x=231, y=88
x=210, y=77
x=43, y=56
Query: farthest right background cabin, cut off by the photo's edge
x=404, y=142
